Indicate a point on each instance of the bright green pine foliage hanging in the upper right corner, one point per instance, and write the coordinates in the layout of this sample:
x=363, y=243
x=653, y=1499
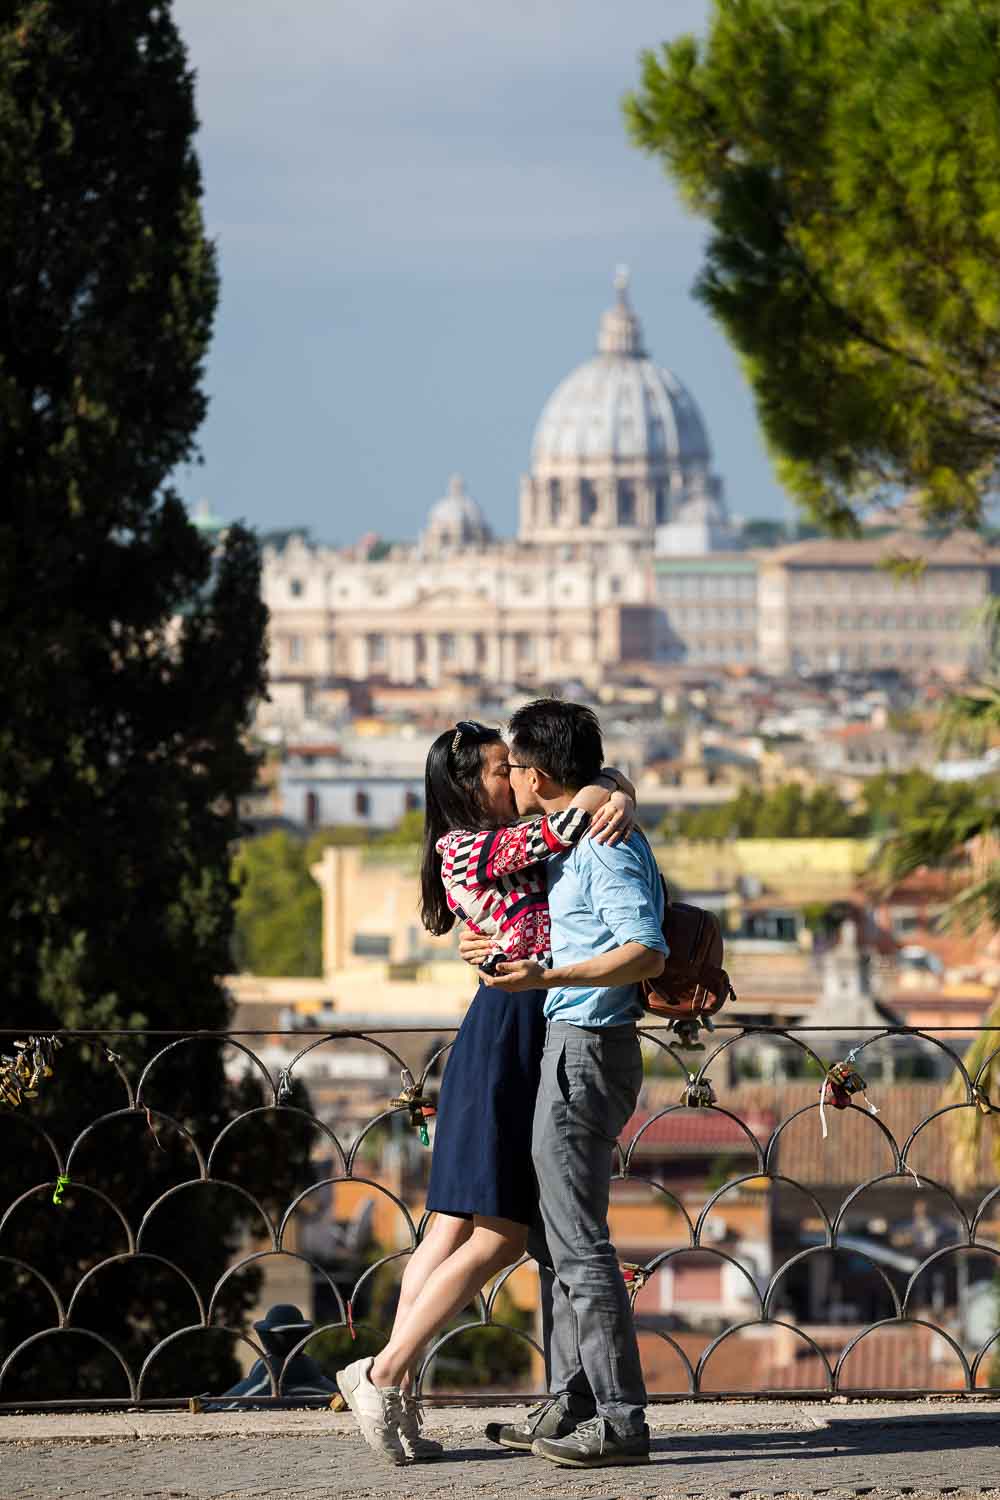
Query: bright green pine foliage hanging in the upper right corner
x=846, y=155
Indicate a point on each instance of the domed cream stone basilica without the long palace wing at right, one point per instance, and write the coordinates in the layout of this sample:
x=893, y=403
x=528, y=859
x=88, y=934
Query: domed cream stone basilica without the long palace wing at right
x=621, y=476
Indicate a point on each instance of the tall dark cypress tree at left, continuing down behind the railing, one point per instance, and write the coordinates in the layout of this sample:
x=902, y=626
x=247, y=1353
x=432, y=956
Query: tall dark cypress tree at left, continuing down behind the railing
x=131, y=658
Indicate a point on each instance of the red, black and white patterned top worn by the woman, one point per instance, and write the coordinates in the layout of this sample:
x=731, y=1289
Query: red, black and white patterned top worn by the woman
x=496, y=880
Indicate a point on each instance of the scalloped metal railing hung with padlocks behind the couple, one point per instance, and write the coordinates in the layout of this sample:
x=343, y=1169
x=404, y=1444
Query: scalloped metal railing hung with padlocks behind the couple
x=76, y=1217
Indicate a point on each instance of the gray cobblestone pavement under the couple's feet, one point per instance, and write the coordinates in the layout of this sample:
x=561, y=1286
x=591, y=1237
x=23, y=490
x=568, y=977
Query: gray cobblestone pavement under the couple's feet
x=708, y=1453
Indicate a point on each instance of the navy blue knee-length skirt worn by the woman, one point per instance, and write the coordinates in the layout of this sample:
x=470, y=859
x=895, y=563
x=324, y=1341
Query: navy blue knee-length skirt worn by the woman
x=482, y=1154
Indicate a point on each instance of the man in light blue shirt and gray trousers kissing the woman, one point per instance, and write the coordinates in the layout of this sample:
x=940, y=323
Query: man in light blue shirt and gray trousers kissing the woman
x=606, y=904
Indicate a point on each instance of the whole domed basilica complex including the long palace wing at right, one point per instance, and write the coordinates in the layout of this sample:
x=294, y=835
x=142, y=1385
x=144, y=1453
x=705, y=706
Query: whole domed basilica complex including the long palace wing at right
x=624, y=557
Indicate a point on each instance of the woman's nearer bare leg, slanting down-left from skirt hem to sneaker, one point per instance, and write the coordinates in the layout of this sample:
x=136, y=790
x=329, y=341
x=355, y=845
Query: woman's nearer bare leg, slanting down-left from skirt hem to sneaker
x=494, y=1244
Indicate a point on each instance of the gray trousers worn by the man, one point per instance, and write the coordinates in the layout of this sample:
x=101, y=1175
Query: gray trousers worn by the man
x=590, y=1085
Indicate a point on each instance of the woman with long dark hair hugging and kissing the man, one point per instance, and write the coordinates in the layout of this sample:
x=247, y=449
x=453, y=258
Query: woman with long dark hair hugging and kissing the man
x=488, y=871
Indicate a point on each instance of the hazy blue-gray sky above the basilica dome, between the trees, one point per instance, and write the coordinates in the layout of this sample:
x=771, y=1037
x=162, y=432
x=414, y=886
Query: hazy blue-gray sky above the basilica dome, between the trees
x=419, y=208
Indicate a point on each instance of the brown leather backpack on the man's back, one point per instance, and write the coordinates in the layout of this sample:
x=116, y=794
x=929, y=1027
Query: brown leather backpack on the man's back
x=693, y=983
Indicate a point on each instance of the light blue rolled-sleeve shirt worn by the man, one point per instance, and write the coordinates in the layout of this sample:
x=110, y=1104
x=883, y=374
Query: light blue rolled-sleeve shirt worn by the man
x=602, y=898
